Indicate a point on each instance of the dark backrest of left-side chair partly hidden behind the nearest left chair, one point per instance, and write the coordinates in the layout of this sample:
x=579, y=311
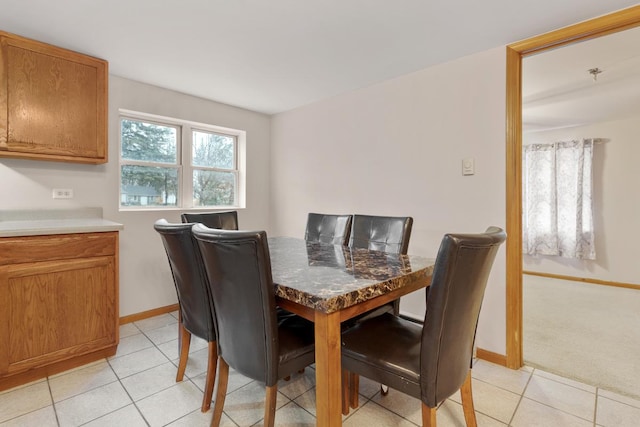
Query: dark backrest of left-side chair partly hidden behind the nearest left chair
x=189, y=278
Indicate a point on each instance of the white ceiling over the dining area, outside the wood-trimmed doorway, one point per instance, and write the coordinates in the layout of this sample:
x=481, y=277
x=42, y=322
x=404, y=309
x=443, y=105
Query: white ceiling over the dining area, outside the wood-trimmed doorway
x=275, y=55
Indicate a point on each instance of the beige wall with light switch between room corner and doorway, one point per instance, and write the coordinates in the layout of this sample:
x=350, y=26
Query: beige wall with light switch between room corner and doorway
x=396, y=148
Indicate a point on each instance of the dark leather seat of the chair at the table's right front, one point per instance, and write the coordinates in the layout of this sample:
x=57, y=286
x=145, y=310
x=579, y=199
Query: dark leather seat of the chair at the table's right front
x=396, y=344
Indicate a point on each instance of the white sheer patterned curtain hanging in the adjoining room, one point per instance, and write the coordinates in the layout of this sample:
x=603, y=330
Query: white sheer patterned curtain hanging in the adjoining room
x=557, y=206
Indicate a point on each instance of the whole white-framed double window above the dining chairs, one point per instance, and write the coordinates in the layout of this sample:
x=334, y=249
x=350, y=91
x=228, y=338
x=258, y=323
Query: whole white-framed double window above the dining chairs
x=169, y=163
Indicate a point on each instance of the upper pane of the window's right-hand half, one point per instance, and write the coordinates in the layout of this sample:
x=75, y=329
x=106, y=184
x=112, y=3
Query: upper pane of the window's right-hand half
x=213, y=150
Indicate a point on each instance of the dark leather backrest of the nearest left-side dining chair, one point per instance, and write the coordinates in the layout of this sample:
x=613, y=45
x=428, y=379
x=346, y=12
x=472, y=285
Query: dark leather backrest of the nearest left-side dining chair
x=238, y=267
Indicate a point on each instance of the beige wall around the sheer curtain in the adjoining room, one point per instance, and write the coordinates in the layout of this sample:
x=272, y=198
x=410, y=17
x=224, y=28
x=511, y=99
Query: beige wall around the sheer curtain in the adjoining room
x=615, y=202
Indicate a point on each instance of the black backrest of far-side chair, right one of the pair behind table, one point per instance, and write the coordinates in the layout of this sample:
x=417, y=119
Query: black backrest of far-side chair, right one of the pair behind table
x=381, y=233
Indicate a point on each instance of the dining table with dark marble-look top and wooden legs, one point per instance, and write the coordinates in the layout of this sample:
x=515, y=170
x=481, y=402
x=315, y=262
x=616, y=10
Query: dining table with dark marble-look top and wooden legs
x=329, y=284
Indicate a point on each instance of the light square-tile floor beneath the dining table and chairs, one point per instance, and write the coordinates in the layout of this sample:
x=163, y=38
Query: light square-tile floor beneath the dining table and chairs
x=137, y=387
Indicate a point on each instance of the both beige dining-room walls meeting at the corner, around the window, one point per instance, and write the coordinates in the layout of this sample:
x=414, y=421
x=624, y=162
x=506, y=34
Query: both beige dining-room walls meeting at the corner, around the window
x=395, y=148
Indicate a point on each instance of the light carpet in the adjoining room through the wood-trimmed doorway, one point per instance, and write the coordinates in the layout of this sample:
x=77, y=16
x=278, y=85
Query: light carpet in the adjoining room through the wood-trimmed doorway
x=583, y=331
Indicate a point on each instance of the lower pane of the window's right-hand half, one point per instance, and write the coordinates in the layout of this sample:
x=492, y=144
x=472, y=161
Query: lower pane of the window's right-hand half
x=214, y=188
